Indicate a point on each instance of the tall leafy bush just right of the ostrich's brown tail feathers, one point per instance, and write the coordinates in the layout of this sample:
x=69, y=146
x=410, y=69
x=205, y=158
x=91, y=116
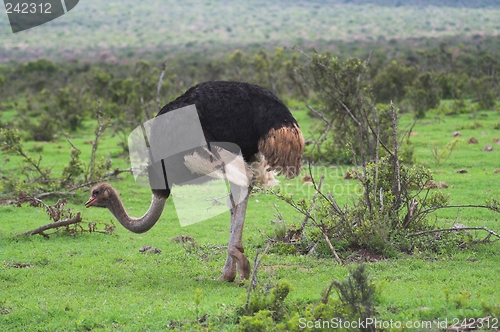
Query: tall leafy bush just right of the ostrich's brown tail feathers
x=343, y=90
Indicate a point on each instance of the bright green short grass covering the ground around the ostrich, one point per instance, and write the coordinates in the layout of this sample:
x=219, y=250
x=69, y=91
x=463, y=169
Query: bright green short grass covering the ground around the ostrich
x=102, y=282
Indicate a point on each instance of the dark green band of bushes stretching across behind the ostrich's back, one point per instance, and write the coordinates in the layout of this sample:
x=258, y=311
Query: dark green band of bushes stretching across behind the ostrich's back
x=49, y=96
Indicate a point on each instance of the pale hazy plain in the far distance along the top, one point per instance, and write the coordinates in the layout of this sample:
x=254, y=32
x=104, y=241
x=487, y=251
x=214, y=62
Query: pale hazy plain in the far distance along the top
x=130, y=29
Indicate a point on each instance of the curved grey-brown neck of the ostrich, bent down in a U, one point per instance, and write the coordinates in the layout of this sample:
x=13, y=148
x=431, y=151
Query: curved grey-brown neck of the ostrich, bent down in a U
x=142, y=224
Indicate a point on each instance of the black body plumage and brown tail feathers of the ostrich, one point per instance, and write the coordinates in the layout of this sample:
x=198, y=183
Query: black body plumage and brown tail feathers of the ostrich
x=247, y=115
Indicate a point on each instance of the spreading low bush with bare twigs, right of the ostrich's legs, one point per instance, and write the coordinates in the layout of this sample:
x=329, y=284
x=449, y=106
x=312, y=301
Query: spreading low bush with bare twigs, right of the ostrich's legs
x=382, y=217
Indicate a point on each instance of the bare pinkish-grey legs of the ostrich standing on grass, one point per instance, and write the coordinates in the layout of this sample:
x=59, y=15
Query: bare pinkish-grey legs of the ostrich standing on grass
x=235, y=257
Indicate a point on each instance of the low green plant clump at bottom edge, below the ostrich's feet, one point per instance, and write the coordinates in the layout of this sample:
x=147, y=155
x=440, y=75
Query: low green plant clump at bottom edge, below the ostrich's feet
x=268, y=311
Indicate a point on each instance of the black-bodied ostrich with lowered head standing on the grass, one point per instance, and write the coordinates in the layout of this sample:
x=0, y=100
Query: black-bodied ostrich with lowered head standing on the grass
x=244, y=114
